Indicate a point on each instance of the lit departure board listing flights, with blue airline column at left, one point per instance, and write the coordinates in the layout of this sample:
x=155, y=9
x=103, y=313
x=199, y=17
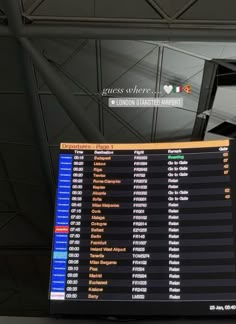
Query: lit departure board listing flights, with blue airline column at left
x=145, y=229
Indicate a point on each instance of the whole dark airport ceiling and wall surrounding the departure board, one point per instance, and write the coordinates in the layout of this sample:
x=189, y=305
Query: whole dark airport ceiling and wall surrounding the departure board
x=34, y=119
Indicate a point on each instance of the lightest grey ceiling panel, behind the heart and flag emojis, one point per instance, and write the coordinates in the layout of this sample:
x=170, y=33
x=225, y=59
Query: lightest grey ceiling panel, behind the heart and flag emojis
x=179, y=69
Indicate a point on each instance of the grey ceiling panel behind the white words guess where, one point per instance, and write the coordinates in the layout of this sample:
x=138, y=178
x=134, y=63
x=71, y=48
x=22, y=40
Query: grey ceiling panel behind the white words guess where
x=126, y=65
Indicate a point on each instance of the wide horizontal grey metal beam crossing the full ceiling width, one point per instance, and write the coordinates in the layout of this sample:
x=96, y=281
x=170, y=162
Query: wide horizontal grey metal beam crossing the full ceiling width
x=191, y=31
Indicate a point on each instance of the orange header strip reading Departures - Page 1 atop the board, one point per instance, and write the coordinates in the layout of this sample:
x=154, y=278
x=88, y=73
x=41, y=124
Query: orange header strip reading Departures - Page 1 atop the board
x=142, y=146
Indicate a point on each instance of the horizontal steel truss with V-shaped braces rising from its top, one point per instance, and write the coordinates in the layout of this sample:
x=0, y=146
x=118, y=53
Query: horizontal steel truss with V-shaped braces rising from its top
x=166, y=27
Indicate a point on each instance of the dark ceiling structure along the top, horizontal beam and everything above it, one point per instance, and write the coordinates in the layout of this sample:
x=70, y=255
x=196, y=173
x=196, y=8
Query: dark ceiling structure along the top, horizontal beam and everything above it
x=144, y=19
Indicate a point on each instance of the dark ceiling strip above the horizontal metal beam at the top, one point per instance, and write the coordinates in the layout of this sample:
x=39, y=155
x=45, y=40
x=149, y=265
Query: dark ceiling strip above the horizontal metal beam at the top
x=183, y=10
